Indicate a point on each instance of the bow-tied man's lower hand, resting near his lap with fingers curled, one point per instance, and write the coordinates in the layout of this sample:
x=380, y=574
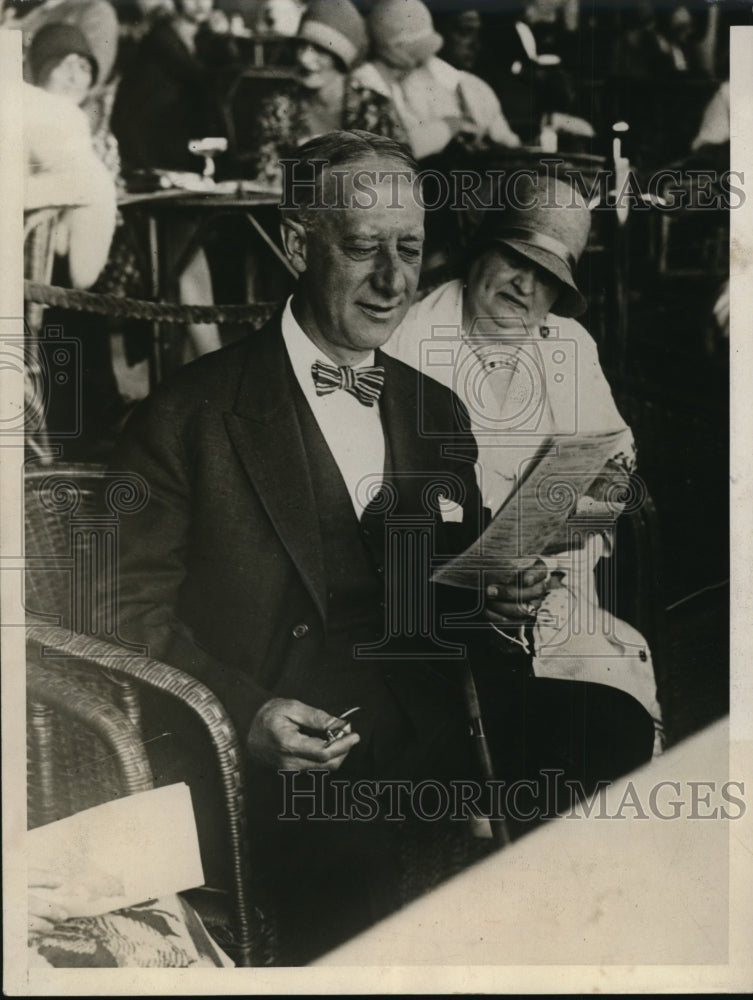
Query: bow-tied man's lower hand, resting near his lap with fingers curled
x=275, y=737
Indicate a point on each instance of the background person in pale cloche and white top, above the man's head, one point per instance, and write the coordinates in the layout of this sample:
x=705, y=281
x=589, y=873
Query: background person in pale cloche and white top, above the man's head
x=435, y=102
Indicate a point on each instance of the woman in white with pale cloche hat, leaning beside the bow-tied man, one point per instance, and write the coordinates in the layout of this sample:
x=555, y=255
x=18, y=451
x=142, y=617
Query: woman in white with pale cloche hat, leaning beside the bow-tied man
x=504, y=338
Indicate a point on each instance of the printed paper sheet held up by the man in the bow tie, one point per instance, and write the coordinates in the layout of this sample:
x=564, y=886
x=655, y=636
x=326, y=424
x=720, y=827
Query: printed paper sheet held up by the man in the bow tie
x=533, y=519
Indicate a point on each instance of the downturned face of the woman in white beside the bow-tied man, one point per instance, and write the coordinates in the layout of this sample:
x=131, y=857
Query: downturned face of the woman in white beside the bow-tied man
x=506, y=286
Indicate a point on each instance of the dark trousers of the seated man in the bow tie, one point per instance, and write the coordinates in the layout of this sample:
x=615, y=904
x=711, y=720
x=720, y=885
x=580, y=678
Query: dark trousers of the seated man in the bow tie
x=328, y=875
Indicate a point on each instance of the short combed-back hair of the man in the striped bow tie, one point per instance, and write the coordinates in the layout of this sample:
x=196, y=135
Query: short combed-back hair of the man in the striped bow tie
x=303, y=173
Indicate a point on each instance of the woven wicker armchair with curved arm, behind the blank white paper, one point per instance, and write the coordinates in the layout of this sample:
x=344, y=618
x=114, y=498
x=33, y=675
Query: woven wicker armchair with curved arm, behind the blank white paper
x=72, y=515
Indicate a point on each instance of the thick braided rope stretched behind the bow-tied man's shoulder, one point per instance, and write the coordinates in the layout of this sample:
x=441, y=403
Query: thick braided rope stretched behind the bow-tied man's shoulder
x=256, y=313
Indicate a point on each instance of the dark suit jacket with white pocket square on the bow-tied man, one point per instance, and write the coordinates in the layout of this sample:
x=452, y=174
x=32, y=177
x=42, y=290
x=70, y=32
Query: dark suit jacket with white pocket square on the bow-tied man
x=223, y=572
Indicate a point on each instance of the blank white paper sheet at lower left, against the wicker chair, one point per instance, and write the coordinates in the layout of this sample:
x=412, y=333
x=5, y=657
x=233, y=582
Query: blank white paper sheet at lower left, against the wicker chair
x=120, y=853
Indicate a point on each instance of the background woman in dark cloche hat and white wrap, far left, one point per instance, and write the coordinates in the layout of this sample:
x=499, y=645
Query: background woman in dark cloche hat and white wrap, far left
x=67, y=171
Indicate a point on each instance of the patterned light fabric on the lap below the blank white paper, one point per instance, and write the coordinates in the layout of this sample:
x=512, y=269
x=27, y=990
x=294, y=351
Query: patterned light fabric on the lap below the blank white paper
x=164, y=933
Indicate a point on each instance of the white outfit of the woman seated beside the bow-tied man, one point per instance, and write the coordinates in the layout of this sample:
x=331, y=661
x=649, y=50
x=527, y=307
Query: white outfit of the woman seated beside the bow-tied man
x=556, y=387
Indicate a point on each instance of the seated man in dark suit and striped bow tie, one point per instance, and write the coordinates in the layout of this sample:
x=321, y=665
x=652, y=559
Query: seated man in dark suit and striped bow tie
x=289, y=476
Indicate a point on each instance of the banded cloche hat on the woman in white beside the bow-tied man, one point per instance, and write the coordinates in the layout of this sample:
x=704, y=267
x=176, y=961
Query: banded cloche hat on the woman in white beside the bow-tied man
x=548, y=223
